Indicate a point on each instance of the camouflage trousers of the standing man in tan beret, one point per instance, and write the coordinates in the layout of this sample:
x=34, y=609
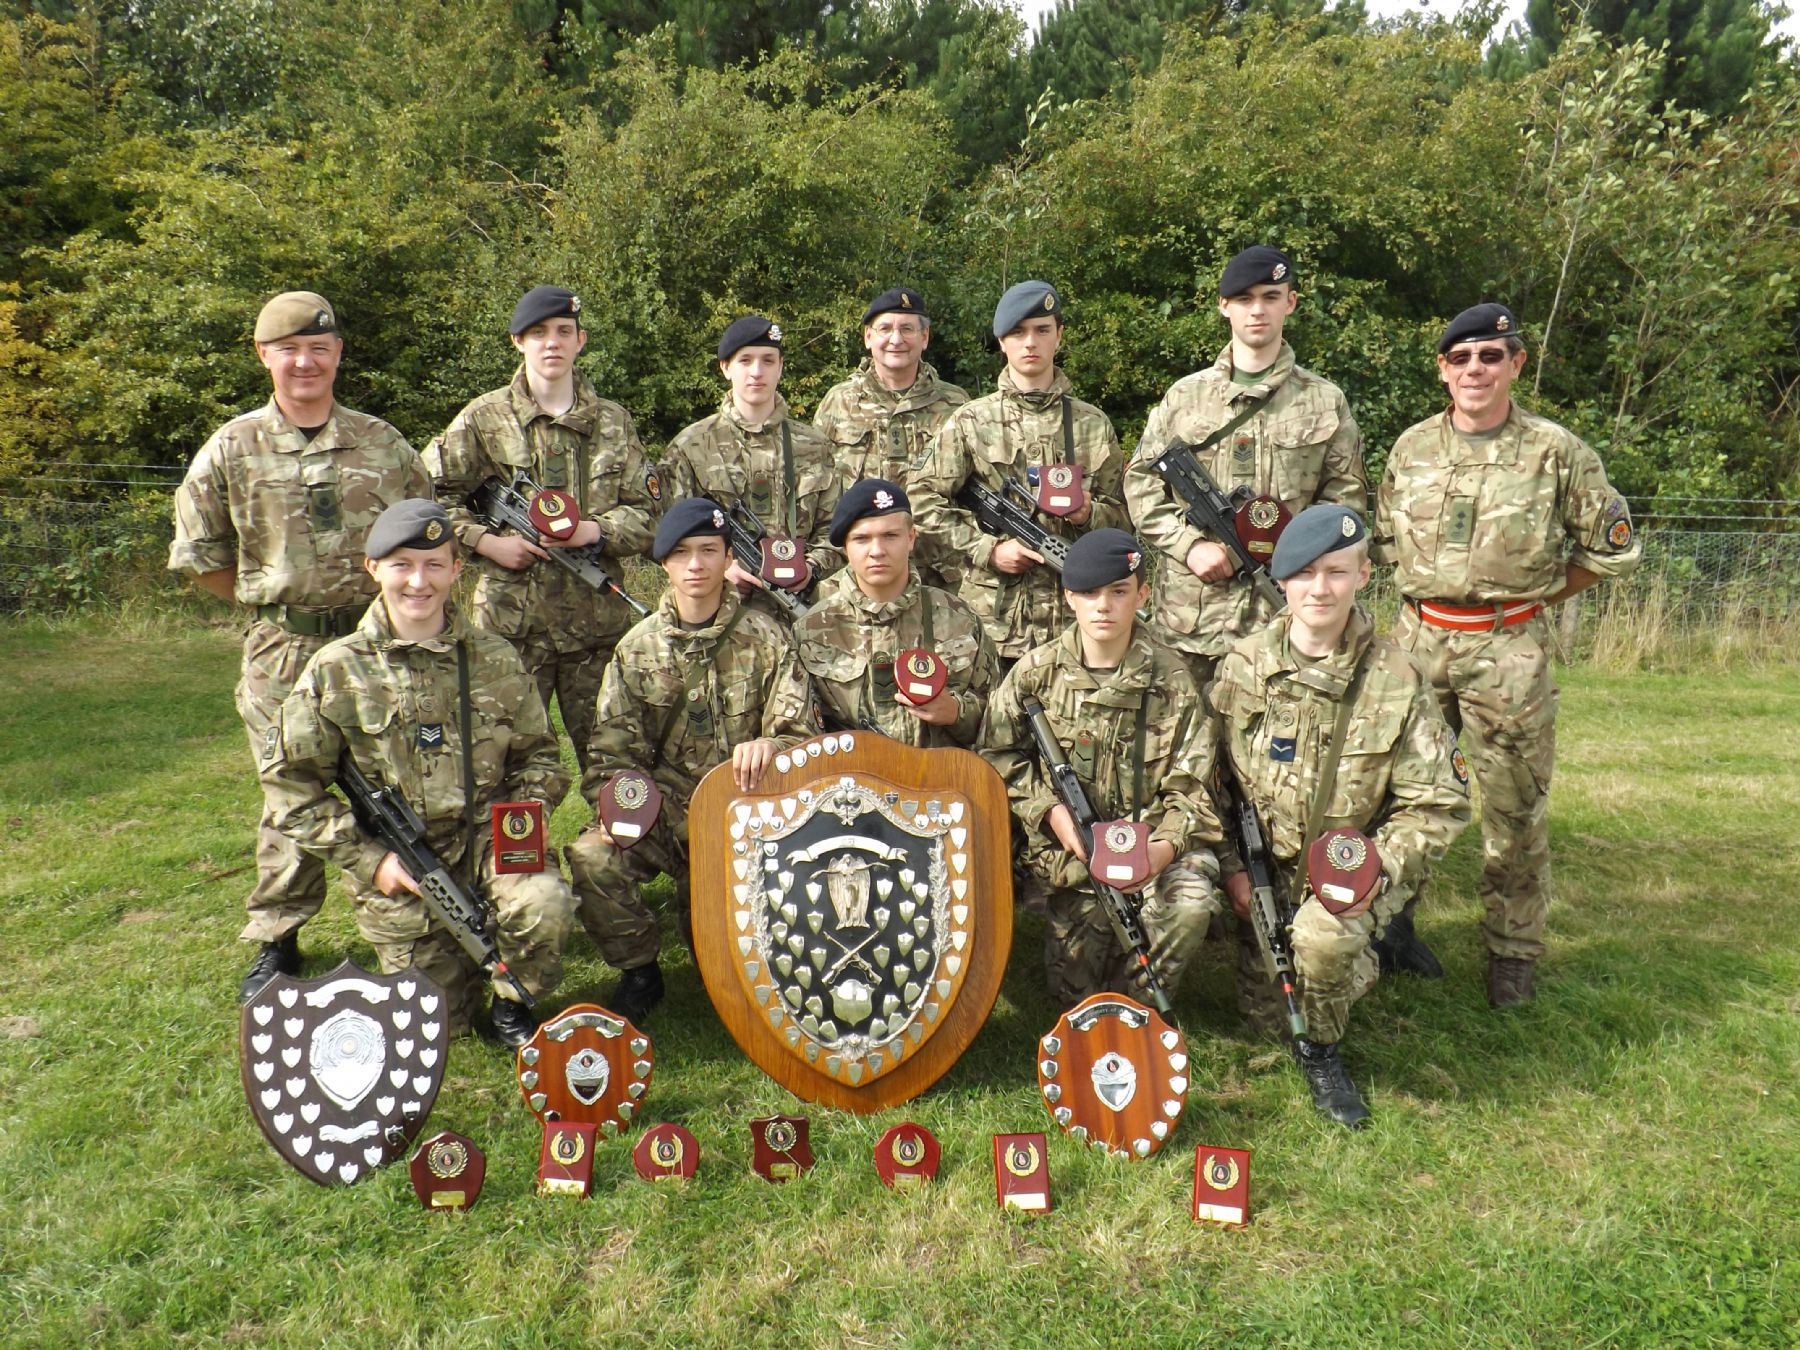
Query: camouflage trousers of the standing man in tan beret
x=291, y=885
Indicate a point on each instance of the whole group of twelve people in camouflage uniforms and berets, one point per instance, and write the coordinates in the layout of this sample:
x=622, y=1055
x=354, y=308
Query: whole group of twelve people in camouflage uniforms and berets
x=309, y=512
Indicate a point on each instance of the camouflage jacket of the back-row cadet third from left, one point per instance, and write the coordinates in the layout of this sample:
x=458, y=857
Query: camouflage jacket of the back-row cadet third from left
x=732, y=462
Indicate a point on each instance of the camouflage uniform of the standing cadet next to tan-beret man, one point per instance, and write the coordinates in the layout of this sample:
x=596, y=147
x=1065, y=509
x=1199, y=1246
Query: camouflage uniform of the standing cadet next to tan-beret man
x=562, y=629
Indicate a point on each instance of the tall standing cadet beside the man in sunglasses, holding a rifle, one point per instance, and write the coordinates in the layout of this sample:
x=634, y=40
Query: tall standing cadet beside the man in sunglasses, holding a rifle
x=1297, y=445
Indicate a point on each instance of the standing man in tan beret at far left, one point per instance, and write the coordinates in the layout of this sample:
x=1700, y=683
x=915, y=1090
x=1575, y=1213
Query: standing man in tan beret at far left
x=273, y=516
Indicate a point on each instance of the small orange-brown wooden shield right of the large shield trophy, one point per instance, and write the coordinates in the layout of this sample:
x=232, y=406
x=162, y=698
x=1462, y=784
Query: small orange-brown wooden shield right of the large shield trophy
x=1115, y=1075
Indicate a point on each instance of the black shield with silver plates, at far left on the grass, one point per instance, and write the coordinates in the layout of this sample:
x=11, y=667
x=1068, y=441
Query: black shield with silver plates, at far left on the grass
x=341, y=1072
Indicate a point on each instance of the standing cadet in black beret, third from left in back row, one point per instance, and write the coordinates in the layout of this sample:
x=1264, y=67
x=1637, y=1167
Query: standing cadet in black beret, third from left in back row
x=753, y=453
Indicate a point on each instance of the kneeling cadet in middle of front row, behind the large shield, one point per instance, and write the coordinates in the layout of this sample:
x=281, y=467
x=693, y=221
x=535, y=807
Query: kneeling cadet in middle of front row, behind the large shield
x=877, y=609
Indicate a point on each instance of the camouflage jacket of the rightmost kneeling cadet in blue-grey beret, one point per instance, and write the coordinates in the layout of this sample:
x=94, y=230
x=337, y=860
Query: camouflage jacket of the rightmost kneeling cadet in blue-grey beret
x=1399, y=778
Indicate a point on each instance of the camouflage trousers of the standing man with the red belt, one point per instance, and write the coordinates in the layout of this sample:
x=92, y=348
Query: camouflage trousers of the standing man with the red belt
x=1498, y=692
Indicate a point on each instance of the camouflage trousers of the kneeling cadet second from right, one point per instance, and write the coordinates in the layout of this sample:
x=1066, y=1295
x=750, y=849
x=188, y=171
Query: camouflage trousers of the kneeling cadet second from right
x=1084, y=957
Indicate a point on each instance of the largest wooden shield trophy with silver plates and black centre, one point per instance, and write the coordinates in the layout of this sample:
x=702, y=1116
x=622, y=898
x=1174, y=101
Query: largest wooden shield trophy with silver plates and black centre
x=852, y=917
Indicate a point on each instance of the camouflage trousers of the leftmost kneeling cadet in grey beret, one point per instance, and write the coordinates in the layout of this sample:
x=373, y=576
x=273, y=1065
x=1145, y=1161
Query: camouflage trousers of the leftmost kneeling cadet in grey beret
x=532, y=917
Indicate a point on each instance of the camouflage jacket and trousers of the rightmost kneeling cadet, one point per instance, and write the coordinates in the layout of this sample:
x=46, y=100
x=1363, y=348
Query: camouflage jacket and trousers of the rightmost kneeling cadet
x=1398, y=782
